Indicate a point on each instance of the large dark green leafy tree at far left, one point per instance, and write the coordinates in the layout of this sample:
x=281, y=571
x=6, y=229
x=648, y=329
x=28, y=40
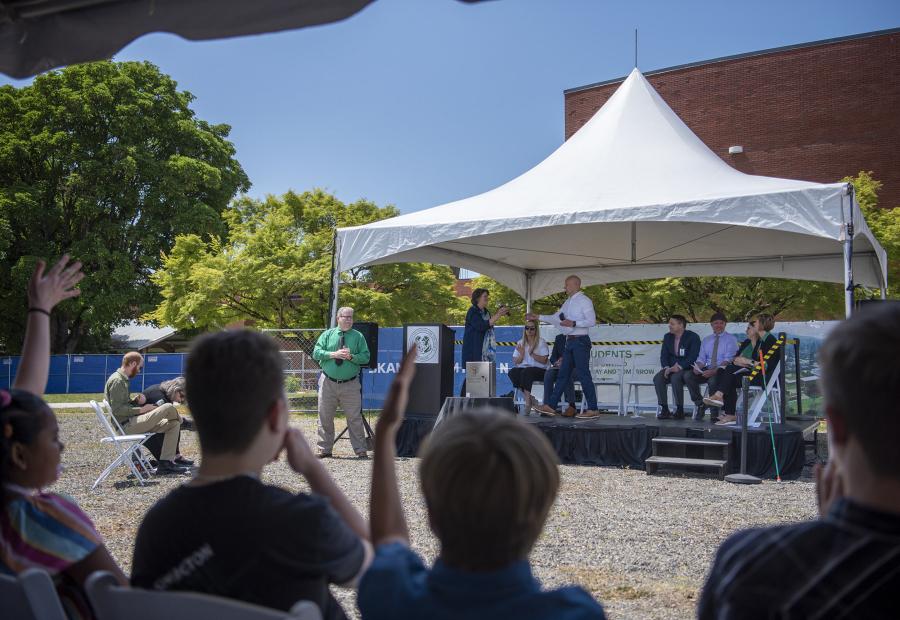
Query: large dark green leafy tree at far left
x=105, y=161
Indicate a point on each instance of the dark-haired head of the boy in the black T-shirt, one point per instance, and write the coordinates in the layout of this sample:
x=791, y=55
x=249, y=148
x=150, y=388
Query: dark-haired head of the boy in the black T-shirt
x=234, y=377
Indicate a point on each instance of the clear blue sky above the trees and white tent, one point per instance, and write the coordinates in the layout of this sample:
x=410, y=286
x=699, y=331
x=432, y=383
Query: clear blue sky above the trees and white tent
x=417, y=103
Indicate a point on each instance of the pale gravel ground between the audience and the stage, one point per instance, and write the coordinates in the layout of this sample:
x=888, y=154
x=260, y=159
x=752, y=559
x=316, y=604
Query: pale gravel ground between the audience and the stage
x=642, y=545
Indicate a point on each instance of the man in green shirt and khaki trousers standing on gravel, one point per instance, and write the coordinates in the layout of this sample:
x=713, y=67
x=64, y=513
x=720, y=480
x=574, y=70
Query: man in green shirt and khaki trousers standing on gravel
x=340, y=351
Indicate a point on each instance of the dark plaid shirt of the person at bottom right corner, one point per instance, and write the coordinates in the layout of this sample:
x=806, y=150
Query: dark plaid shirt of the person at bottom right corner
x=844, y=566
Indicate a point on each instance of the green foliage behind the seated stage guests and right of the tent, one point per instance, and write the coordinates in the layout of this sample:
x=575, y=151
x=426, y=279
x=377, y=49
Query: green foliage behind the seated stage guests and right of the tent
x=740, y=299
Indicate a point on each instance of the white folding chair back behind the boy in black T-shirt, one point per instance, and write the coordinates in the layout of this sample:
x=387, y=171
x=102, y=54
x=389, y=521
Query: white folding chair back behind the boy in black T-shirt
x=113, y=602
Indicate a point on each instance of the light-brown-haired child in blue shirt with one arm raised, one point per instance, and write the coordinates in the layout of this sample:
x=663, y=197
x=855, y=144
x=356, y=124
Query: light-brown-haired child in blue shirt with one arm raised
x=489, y=482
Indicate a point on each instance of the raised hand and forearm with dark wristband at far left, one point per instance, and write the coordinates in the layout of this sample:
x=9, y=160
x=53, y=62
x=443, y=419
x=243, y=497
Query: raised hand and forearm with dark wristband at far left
x=43, y=293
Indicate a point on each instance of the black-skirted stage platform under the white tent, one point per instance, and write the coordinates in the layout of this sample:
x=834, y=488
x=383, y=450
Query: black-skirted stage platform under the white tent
x=627, y=442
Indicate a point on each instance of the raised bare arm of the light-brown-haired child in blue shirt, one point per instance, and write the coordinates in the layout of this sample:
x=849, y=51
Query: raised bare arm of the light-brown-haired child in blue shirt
x=385, y=510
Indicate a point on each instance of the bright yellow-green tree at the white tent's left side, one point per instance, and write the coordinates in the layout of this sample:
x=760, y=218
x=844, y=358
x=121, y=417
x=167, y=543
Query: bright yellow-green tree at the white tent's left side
x=275, y=268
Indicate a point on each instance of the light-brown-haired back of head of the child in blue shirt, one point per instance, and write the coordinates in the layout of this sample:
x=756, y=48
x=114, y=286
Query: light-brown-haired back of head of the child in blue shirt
x=489, y=482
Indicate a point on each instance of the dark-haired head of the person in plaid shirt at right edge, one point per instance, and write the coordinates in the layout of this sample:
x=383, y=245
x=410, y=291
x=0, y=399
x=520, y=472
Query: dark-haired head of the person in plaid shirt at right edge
x=860, y=380
